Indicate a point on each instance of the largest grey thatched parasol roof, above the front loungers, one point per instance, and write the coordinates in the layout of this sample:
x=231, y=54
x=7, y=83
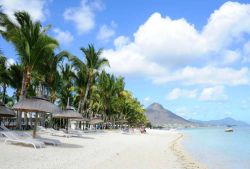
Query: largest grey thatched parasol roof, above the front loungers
x=36, y=104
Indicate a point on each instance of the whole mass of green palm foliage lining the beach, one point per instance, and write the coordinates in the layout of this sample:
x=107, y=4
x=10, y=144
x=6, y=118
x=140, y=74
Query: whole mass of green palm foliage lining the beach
x=92, y=91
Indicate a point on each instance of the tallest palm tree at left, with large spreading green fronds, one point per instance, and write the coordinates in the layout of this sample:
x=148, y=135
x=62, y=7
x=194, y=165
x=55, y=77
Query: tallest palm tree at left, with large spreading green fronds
x=30, y=40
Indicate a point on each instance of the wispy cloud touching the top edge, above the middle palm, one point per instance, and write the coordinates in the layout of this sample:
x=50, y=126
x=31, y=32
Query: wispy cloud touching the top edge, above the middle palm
x=83, y=16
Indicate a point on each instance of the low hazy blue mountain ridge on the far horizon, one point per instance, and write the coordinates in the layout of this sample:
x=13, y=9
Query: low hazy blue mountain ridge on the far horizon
x=221, y=122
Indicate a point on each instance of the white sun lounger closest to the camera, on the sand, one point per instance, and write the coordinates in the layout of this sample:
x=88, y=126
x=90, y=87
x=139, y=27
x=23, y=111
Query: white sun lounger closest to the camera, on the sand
x=14, y=138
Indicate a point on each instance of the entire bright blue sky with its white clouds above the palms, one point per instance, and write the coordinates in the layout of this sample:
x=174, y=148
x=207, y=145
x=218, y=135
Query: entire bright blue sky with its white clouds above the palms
x=190, y=56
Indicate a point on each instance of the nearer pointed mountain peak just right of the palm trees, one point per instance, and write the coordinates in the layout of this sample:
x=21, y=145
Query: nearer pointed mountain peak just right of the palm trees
x=158, y=116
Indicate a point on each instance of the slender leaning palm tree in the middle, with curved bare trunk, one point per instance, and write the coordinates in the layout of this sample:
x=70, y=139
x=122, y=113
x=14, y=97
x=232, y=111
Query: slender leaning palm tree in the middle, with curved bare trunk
x=94, y=62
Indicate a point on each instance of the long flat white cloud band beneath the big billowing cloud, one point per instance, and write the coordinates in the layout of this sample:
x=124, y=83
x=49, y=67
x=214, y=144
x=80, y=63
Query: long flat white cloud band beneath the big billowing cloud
x=208, y=75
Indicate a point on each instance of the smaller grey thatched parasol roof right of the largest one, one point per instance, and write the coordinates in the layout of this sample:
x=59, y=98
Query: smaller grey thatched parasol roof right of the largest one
x=69, y=113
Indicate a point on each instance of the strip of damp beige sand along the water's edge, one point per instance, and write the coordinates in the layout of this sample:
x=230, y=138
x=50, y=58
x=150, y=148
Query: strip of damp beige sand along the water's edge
x=184, y=158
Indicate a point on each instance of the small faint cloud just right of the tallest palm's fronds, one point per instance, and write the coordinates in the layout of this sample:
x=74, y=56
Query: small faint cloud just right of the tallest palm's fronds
x=64, y=37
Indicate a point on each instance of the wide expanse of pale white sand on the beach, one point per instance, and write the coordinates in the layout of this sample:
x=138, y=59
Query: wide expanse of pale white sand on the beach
x=109, y=150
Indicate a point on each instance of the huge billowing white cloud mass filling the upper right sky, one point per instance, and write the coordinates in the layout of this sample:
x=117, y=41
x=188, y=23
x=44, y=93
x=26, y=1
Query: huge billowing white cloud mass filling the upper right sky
x=166, y=50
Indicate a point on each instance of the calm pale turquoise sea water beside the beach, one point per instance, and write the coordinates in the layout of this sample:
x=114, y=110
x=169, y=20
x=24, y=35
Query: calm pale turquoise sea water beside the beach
x=218, y=149
